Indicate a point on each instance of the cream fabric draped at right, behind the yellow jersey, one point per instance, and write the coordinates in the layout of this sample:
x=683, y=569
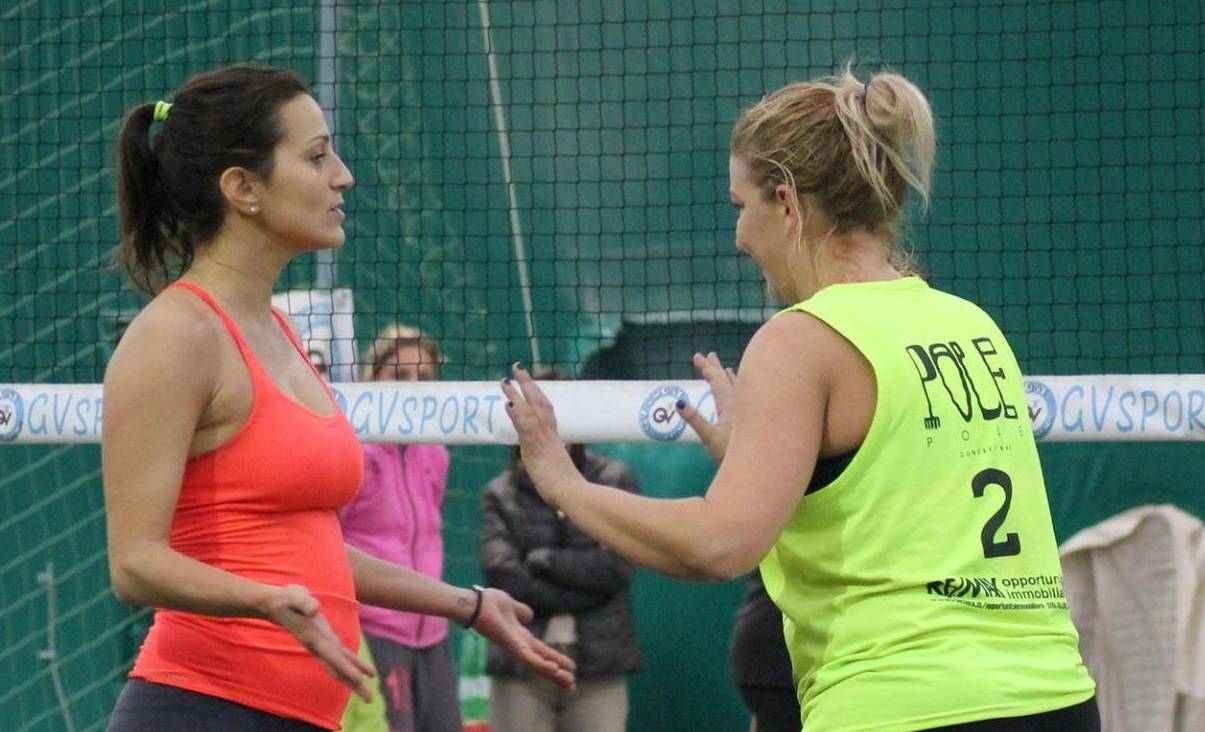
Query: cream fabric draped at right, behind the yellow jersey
x=1136, y=585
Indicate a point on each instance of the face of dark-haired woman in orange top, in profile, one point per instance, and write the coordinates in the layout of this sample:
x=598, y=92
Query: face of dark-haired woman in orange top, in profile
x=303, y=201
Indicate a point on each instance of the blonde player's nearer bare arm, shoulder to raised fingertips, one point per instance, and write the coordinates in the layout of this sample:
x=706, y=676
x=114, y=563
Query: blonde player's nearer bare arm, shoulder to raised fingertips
x=781, y=397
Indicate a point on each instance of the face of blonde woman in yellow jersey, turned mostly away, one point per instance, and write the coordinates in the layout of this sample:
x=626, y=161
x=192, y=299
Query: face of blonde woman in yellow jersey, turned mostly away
x=765, y=230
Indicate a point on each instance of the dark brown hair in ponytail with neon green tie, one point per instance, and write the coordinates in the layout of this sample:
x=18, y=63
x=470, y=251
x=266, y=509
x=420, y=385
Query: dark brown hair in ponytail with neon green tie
x=168, y=184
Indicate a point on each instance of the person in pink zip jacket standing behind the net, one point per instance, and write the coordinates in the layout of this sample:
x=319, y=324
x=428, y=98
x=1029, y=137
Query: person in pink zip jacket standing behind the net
x=397, y=517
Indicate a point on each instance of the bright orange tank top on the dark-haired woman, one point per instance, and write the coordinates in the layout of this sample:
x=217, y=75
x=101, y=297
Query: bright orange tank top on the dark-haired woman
x=263, y=507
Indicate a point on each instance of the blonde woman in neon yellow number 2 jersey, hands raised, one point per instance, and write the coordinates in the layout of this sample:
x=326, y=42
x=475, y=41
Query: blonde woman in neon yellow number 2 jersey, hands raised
x=875, y=455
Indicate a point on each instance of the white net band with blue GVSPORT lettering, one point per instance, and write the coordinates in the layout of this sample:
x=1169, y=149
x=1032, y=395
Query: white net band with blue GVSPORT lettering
x=1108, y=408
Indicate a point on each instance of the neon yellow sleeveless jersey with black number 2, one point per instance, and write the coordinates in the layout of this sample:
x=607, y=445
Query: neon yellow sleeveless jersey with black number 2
x=922, y=588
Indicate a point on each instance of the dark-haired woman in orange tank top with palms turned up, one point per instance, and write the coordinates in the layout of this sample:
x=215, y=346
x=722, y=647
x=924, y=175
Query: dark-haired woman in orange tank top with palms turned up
x=225, y=454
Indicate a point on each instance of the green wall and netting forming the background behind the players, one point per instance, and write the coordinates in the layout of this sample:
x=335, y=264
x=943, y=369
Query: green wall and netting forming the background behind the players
x=1068, y=202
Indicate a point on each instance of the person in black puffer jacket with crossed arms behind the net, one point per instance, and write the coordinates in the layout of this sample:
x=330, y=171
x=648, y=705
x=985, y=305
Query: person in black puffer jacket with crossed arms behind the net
x=580, y=593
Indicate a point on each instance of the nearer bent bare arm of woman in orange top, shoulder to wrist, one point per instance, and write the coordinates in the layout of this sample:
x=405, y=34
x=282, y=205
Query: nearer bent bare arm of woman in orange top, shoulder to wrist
x=152, y=408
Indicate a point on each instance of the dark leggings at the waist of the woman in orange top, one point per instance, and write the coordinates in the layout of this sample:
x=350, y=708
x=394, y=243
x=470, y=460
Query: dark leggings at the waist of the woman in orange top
x=146, y=707
